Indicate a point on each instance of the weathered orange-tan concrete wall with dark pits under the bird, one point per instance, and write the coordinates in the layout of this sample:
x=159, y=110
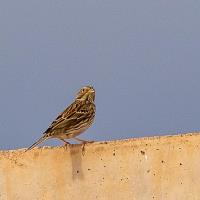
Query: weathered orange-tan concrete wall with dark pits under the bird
x=147, y=168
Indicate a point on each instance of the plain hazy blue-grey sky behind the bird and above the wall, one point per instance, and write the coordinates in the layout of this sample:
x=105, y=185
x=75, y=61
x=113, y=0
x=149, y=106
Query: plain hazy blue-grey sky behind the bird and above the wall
x=142, y=57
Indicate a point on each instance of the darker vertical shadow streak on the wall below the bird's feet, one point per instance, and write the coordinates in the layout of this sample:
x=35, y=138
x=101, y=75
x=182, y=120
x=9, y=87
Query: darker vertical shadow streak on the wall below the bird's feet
x=76, y=158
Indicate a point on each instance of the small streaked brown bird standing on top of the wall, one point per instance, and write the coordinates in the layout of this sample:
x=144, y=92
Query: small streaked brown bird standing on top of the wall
x=74, y=120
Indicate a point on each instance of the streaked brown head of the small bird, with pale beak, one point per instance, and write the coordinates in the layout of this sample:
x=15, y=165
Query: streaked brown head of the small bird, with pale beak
x=86, y=93
